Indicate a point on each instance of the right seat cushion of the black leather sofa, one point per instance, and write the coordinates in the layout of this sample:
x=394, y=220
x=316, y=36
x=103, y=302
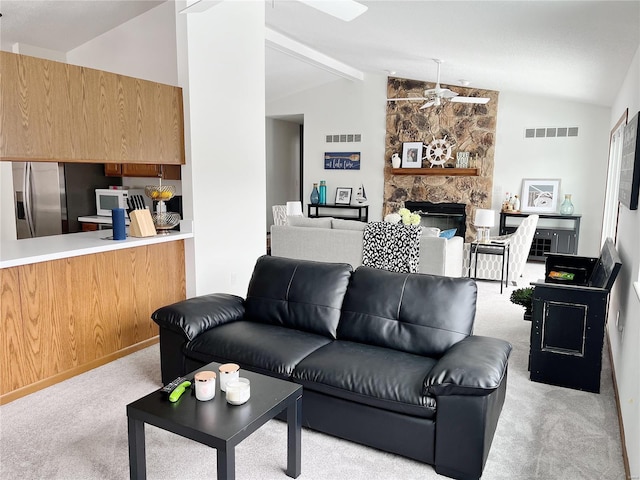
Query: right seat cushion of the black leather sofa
x=370, y=375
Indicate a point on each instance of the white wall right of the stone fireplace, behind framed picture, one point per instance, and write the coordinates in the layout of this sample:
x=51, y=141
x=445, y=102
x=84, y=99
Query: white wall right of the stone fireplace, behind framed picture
x=579, y=162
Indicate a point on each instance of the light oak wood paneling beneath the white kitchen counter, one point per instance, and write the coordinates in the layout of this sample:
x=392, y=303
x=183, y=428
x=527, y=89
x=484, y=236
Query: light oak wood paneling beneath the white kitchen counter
x=62, y=315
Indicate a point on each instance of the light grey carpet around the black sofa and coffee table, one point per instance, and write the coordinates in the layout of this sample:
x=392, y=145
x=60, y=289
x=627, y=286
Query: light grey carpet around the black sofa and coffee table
x=78, y=430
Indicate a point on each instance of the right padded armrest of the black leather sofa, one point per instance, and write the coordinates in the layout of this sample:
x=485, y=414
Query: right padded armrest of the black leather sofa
x=474, y=366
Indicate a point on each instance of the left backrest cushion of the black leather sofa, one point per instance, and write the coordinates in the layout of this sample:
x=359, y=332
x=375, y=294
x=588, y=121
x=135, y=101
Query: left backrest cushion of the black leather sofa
x=298, y=294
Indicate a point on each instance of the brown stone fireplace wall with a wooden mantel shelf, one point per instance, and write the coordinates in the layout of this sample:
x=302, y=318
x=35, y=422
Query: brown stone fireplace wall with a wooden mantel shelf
x=468, y=127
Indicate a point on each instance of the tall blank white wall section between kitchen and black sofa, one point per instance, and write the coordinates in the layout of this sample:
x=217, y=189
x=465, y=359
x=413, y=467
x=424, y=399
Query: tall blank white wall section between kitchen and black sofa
x=226, y=132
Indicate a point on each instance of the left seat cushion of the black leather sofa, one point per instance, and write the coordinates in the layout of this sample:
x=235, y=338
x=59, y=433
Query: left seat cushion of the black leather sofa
x=259, y=347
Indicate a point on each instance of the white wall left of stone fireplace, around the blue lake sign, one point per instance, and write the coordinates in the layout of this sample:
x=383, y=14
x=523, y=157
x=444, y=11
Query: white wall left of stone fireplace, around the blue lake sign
x=342, y=106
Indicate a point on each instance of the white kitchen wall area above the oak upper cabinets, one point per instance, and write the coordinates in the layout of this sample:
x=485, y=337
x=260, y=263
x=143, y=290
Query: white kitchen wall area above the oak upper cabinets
x=144, y=47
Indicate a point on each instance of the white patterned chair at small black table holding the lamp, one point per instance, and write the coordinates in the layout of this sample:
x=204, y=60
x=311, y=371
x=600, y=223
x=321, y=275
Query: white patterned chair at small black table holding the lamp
x=490, y=266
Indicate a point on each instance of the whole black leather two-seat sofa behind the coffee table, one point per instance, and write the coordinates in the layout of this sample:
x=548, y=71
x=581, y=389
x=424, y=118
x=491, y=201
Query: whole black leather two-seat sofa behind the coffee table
x=386, y=359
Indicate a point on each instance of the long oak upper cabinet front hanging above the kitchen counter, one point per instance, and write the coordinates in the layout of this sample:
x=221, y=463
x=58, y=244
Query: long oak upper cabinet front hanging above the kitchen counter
x=55, y=111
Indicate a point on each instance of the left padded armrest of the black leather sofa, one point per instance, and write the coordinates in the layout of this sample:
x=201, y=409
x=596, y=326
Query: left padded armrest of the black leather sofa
x=196, y=315
